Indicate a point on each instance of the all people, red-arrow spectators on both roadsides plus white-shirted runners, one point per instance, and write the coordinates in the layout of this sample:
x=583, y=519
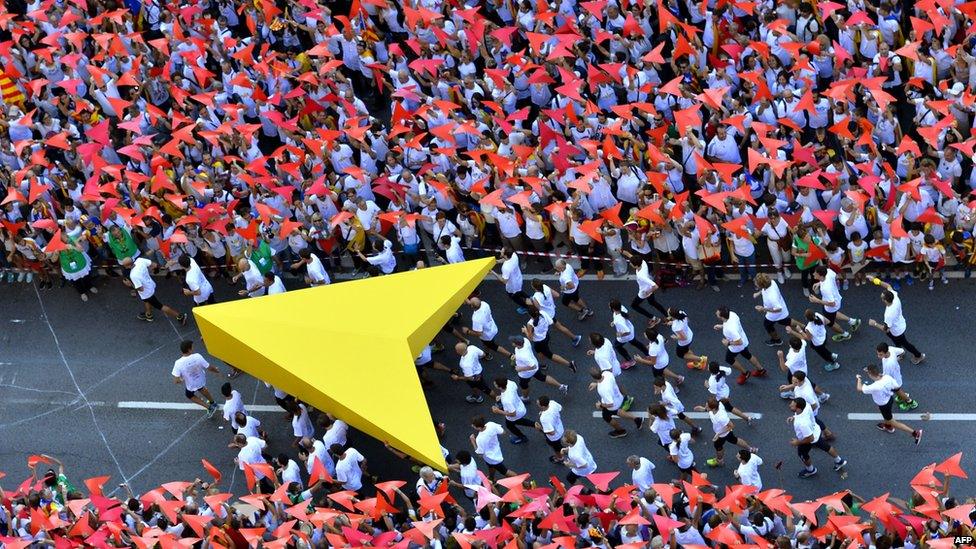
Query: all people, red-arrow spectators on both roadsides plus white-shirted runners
x=683, y=141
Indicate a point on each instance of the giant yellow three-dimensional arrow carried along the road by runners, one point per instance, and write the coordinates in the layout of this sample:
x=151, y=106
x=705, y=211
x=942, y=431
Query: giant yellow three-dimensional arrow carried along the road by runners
x=348, y=348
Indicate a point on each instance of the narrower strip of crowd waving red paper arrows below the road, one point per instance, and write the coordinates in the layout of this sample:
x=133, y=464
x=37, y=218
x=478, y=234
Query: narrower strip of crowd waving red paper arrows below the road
x=609, y=510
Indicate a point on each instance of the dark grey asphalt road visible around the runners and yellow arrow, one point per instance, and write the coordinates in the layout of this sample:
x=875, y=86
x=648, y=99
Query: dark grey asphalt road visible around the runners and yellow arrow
x=65, y=366
